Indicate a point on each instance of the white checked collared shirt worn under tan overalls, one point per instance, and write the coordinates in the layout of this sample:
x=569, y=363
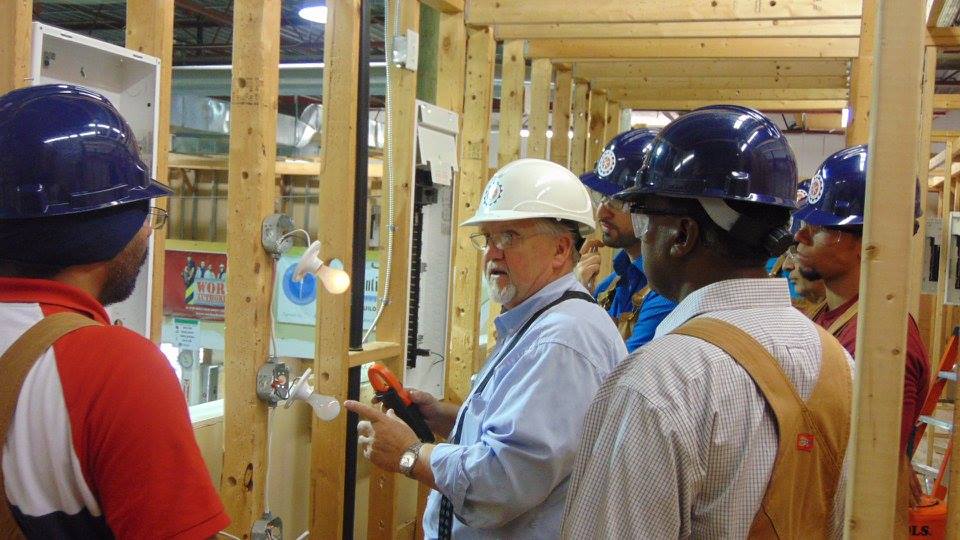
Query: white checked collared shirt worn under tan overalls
x=679, y=442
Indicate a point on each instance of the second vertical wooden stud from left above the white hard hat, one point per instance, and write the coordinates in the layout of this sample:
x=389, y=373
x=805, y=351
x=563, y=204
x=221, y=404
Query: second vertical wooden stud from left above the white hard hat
x=514, y=72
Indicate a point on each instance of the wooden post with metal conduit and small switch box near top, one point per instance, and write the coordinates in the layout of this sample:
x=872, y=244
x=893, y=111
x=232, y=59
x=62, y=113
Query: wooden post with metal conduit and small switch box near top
x=383, y=515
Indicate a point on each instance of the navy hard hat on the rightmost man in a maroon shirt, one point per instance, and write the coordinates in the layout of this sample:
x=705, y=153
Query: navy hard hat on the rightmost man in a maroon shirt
x=838, y=191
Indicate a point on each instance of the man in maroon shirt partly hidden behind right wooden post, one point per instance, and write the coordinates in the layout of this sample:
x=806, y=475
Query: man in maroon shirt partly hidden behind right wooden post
x=829, y=249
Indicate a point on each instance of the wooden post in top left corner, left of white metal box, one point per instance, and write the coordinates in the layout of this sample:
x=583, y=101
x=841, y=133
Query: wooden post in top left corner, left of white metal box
x=15, y=27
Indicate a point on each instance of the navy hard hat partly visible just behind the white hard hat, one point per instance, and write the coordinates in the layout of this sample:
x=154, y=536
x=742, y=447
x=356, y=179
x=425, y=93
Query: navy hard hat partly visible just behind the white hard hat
x=618, y=164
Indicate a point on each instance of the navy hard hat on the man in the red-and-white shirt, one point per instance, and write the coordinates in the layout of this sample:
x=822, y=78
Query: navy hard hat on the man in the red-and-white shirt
x=65, y=149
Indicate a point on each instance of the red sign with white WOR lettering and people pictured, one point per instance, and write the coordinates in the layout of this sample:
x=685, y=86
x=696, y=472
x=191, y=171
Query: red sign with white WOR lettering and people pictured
x=195, y=284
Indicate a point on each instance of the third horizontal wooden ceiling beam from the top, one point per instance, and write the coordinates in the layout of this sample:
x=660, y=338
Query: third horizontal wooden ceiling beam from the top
x=628, y=49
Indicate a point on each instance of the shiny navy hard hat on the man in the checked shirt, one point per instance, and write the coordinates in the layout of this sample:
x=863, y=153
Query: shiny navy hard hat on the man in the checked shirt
x=722, y=152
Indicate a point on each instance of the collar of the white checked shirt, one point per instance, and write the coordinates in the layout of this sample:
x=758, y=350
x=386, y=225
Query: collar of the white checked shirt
x=729, y=294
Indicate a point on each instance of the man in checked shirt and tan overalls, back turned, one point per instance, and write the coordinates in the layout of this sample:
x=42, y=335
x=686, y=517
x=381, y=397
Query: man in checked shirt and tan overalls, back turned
x=734, y=420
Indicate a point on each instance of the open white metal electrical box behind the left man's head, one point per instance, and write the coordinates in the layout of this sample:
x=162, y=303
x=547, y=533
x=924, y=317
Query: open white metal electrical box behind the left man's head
x=130, y=80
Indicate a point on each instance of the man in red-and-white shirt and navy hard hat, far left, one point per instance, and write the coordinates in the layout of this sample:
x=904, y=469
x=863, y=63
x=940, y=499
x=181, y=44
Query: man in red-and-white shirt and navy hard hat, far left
x=100, y=443
